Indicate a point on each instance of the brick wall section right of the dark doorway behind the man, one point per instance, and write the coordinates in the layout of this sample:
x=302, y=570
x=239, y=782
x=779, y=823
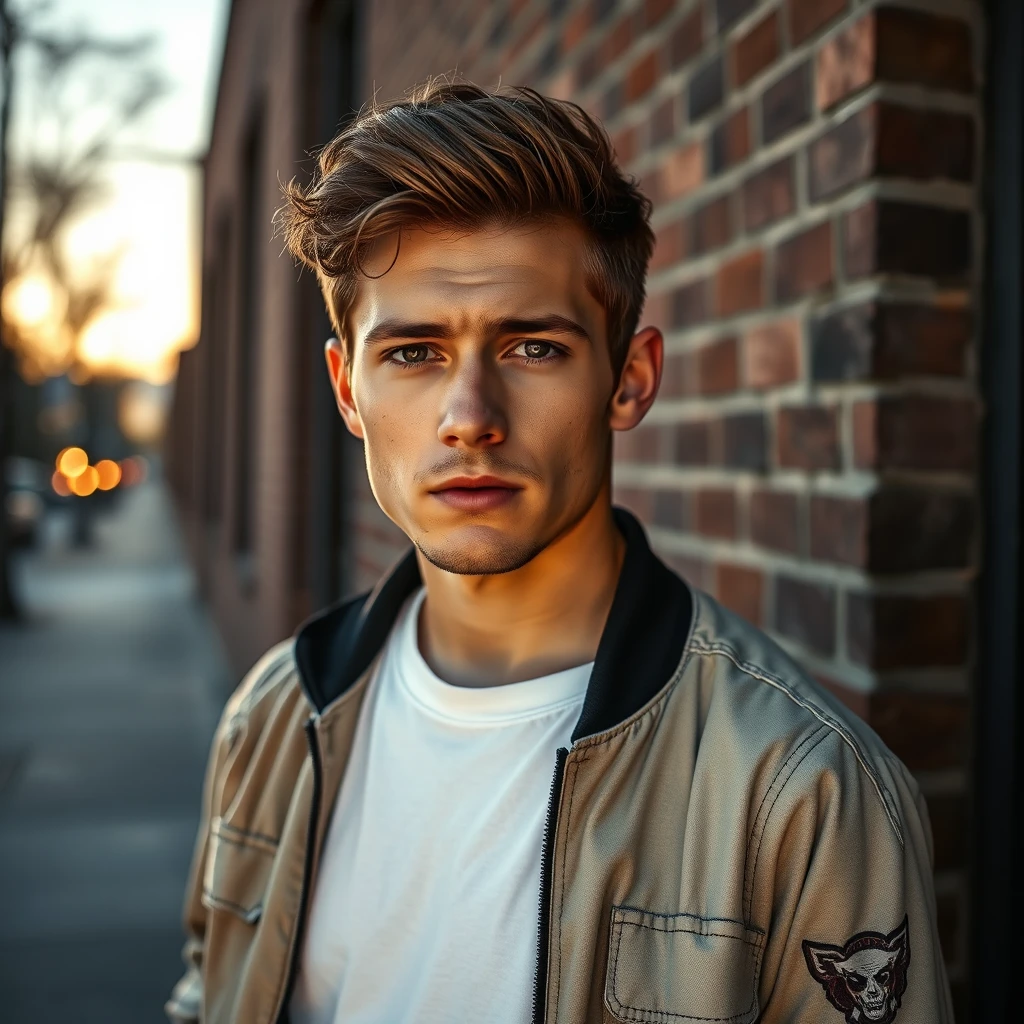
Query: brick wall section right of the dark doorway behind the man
x=812, y=459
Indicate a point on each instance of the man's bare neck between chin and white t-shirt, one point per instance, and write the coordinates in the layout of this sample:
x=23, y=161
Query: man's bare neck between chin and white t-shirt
x=538, y=620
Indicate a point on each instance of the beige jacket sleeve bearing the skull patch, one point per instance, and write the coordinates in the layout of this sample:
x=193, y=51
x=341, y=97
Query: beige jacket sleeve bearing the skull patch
x=843, y=871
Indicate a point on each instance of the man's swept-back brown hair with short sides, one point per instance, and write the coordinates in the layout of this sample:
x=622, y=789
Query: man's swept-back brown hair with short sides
x=453, y=155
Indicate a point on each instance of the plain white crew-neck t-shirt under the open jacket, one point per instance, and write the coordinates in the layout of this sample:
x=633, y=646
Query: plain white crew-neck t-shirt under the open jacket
x=425, y=908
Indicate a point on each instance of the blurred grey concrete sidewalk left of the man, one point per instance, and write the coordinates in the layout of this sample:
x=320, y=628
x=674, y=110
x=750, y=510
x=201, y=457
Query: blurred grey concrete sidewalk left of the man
x=109, y=697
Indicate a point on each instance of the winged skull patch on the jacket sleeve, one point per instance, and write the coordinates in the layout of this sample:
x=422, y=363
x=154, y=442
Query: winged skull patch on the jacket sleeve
x=866, y=978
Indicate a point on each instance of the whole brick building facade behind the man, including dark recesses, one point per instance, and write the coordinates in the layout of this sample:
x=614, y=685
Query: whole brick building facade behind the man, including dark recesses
x=818, y=458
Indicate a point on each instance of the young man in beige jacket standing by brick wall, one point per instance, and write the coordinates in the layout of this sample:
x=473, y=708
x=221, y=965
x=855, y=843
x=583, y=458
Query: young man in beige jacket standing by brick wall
x=535, y=775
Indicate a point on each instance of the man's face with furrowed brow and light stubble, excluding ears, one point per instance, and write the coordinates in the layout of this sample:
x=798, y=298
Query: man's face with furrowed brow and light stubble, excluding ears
x=481, y=354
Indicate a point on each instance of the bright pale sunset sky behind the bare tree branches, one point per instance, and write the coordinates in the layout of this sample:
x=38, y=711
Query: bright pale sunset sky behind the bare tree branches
x=153, y=208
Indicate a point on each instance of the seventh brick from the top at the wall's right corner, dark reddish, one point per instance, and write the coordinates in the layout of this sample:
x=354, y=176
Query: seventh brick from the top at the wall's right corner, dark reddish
x=905, y=631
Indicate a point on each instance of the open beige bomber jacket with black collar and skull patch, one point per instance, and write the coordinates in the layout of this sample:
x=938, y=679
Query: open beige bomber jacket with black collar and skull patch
x=726, y=842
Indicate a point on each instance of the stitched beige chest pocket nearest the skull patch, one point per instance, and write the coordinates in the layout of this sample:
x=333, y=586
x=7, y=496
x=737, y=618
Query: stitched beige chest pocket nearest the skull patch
x=665, y=968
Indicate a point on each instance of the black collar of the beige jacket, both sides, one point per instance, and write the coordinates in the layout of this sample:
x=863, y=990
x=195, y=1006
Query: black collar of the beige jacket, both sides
x=641, y=648
